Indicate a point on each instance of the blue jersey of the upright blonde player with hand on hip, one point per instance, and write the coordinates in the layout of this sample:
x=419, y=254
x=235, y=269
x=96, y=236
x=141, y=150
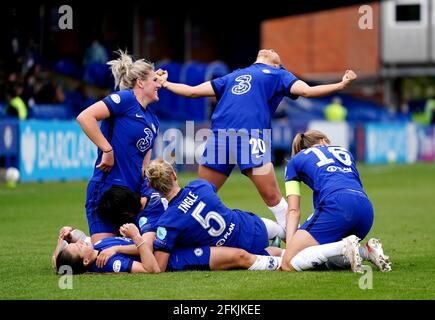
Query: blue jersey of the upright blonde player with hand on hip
x=131, y=131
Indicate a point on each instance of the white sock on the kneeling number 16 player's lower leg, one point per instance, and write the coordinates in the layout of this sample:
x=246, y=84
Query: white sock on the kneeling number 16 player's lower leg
x=314, y=256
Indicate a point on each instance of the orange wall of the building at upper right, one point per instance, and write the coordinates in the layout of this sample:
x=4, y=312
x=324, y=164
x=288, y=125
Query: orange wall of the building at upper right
x=324, y=44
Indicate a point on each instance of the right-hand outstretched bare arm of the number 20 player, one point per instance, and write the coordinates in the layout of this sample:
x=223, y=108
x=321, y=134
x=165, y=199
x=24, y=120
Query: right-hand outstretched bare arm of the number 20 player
x=300, y=88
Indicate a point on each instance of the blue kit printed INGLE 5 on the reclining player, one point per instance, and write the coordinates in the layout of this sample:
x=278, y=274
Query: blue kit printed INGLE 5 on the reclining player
x=197, y=217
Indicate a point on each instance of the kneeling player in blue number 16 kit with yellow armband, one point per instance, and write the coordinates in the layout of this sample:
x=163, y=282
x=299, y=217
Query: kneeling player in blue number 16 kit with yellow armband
x=341, y=206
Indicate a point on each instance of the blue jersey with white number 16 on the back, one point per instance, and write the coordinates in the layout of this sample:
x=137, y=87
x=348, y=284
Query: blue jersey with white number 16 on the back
x=324, y=169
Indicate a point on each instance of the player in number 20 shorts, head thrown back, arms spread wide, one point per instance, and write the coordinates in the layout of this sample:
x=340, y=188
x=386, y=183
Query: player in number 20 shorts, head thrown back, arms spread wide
x=241, y=121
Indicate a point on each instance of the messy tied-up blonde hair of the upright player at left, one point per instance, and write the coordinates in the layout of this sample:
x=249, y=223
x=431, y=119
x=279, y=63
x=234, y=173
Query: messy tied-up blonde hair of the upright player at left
x=126, y=71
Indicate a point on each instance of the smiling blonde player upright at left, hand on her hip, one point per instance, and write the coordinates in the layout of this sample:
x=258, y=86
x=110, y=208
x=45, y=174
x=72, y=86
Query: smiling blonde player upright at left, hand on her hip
x=126, y=137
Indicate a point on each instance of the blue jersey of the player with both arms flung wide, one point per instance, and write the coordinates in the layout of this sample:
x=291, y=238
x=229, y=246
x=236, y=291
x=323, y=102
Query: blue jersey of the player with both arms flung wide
x=247, y=98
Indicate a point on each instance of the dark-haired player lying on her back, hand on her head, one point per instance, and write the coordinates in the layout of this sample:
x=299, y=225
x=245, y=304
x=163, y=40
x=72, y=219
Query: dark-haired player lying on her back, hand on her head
x=133, y=254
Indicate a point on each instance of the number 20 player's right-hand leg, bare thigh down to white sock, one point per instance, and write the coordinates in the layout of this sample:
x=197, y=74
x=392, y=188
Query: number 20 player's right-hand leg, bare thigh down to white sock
x=265, y=181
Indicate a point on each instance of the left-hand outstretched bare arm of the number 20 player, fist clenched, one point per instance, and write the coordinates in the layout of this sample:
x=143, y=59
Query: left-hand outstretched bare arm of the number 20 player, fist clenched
x=202, y=90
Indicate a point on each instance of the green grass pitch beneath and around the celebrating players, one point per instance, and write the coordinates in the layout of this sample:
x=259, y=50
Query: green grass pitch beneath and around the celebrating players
x=404, y=201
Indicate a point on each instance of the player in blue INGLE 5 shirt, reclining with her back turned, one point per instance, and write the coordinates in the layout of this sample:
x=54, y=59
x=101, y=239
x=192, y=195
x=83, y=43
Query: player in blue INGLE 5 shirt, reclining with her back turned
x=196, y=216
